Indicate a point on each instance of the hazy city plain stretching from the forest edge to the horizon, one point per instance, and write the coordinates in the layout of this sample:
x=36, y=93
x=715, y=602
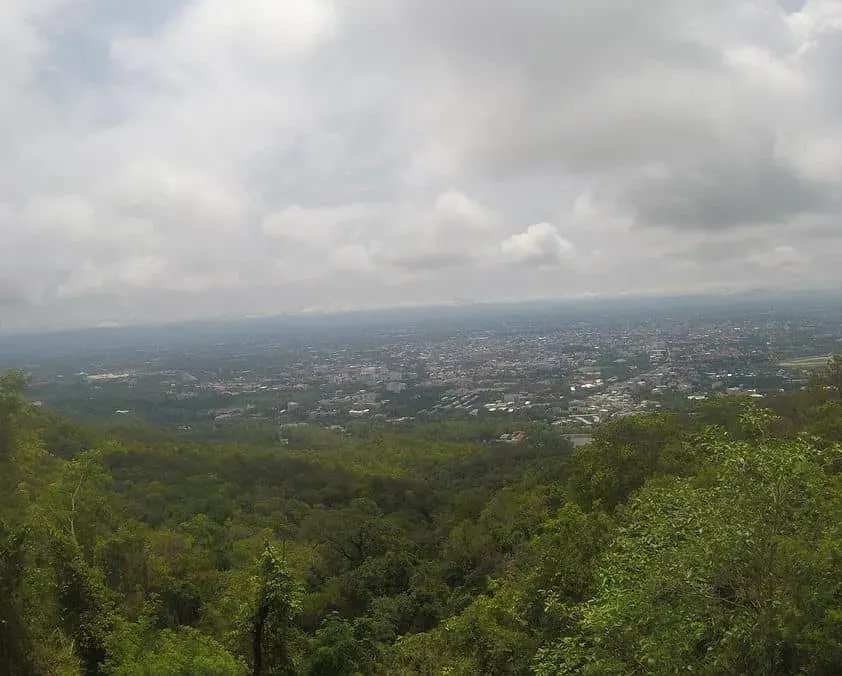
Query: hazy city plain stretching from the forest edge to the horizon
x=569, y=366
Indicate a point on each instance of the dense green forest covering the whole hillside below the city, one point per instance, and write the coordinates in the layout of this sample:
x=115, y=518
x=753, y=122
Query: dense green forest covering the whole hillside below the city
x=706, y=541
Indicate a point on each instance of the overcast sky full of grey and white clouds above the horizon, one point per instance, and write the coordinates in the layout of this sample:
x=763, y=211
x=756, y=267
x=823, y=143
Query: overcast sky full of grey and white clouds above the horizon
x=179, y=159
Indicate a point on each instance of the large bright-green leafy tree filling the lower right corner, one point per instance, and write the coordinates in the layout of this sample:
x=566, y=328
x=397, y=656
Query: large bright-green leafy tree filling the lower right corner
x=737, y=575
